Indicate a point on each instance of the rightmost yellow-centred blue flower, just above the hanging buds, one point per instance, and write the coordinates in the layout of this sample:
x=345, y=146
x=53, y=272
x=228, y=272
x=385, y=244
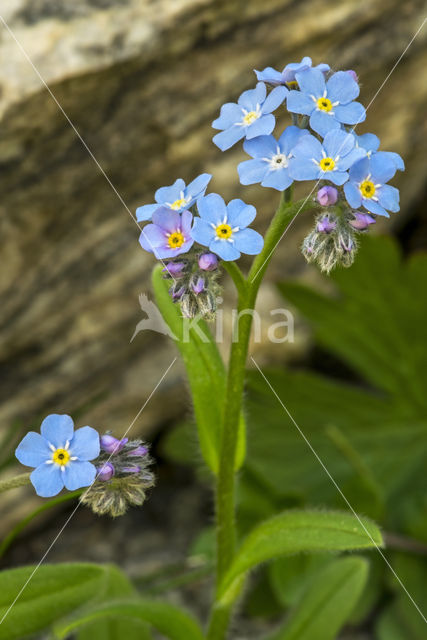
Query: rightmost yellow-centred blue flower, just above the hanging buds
x=367, y=185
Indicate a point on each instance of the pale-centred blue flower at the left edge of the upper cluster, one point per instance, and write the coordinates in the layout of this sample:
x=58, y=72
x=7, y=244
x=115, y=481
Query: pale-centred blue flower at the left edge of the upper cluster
x=250, y=117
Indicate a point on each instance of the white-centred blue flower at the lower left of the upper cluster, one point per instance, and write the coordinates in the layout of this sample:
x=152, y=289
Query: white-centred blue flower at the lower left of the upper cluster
x=272, y=159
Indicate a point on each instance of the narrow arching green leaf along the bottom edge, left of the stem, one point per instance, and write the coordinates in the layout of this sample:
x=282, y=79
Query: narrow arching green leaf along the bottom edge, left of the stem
x=167, y=619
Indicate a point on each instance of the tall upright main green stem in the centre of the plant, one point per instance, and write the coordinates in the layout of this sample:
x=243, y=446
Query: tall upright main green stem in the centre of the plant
x=225, y=489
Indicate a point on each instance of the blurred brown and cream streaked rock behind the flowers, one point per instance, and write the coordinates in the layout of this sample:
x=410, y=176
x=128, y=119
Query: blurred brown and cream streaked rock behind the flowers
x=141, y=81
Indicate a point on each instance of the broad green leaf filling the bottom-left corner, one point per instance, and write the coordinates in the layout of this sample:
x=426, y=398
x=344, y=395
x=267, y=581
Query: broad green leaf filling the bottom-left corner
x=32, y=598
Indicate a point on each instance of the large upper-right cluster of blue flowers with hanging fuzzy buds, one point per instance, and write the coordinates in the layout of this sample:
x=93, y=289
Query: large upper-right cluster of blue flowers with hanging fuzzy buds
x=320, y=144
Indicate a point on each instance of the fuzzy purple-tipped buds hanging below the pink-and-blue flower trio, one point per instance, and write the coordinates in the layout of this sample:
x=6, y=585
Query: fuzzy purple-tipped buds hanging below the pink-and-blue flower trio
x=195, y=285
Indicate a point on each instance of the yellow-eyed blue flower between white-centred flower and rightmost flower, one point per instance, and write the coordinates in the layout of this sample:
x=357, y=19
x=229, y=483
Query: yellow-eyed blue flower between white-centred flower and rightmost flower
x=329, y=161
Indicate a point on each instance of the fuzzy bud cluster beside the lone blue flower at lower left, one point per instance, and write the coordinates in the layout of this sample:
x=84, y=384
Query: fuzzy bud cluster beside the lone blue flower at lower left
x=123, y=476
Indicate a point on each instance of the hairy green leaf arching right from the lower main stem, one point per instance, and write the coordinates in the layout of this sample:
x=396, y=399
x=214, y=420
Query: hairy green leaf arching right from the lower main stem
x=299, y=531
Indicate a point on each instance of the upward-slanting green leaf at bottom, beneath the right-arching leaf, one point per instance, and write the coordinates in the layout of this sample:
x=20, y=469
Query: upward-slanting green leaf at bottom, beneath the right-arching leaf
x=327, y=602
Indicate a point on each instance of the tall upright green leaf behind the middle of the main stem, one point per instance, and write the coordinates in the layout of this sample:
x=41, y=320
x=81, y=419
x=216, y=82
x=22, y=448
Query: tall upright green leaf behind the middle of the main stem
x=206, y=374
